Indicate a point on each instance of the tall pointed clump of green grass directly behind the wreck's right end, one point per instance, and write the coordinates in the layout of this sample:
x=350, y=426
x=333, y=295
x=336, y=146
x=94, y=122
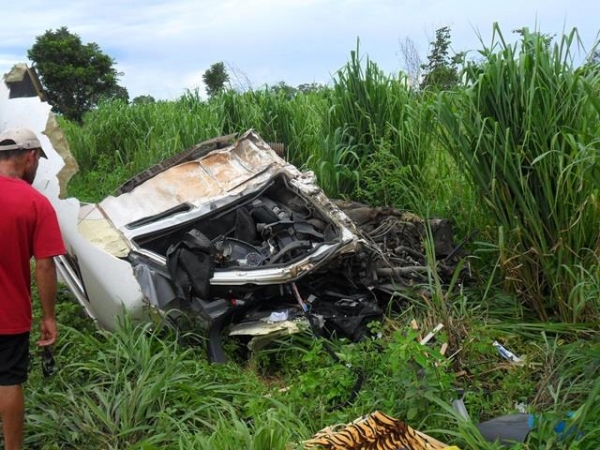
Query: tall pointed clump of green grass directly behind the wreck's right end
x=375, y=116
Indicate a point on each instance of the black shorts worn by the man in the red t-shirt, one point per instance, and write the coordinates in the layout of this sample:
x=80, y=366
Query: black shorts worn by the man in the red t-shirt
x=14, y=358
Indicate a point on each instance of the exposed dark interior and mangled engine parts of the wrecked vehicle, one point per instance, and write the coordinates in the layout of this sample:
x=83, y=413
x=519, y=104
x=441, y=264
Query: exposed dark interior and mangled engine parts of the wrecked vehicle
x=272, y=254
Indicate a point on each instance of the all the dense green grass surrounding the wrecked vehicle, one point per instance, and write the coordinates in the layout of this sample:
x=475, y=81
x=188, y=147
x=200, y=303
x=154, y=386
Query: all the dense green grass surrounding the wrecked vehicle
x=513, y=153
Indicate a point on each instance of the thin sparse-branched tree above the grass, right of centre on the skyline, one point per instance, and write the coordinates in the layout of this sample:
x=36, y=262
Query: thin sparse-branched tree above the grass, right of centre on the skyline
x=441, y=70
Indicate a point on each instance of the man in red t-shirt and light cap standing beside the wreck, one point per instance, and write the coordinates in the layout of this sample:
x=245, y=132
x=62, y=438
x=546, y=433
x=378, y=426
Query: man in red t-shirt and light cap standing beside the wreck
x=28, y=228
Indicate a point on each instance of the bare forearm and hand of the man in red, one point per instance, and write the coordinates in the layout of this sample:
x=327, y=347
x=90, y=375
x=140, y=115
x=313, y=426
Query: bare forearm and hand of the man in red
x=45, y=277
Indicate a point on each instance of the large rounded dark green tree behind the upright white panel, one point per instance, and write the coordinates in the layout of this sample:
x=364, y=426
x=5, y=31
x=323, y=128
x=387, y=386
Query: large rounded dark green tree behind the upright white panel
x=75, y=76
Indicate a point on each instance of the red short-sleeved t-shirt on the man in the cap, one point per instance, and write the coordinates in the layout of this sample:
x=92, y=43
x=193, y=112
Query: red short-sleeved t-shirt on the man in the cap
x=28, y=228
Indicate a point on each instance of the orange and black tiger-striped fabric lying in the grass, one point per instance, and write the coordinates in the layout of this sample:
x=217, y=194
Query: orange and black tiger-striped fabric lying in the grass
x=376, y=431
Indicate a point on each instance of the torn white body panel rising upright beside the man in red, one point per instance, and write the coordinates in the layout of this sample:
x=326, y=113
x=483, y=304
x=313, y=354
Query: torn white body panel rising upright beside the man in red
x=118, y=289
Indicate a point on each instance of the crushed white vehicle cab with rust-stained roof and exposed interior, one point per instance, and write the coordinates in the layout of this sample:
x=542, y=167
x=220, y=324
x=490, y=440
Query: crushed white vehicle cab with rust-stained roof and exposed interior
x=227, y=231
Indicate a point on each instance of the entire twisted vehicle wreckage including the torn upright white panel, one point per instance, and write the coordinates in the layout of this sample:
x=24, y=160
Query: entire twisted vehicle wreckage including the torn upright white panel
x=227, y=232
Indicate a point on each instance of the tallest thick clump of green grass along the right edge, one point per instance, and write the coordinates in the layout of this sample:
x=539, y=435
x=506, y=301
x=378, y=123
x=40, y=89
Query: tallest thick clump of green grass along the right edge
x=526, y=133
